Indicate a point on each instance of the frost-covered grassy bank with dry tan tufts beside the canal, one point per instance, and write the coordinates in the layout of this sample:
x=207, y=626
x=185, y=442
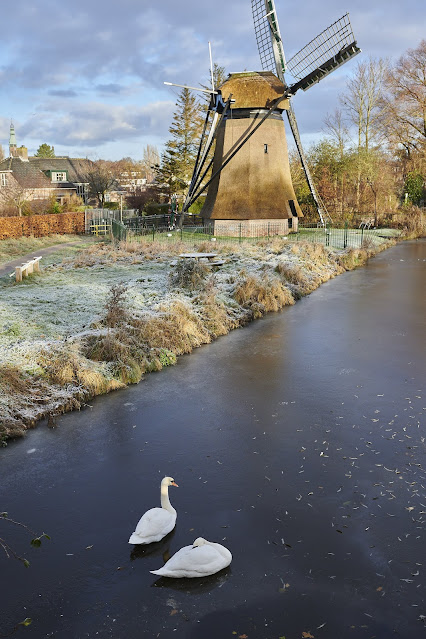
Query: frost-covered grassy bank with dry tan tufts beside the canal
x=101, y=319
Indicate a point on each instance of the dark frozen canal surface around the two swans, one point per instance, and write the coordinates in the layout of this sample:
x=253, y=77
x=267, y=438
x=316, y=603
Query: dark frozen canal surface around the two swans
x=297, y=442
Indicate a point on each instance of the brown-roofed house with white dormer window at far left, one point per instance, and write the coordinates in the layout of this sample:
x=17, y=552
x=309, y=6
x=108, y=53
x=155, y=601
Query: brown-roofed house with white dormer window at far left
x=39, y=178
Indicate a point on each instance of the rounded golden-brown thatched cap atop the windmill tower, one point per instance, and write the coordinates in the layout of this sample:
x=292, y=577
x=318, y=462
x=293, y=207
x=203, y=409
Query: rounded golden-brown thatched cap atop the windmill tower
x=254, y=90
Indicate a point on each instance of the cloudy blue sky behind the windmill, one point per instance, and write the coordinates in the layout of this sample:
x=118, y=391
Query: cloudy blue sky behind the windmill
x=87, y=76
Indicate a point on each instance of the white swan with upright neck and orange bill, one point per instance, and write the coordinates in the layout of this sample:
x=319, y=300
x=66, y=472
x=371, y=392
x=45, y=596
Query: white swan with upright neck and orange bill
x=156, y=523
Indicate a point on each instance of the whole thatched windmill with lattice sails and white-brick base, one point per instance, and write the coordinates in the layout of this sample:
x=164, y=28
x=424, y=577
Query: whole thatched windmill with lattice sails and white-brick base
x=250, y=183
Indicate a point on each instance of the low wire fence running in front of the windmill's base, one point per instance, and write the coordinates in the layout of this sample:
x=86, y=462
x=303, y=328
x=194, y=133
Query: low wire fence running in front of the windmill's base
x=335, y=237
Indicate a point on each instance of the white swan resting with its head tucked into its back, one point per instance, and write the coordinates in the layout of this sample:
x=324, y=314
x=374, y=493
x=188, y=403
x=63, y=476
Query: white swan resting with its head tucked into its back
x=199, y=560
